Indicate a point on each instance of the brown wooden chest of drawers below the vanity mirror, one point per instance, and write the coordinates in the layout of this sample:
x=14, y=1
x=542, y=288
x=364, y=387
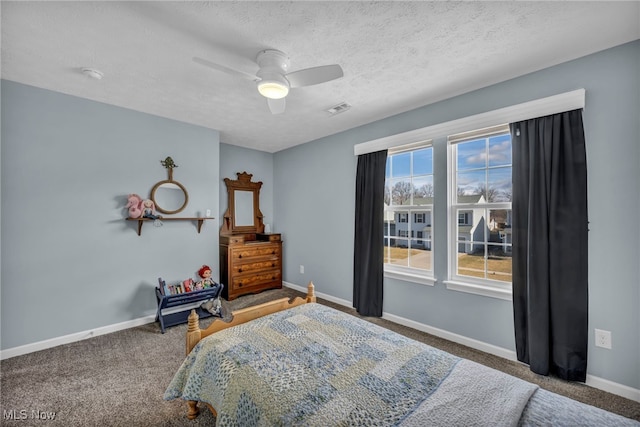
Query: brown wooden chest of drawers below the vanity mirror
x=250, y=263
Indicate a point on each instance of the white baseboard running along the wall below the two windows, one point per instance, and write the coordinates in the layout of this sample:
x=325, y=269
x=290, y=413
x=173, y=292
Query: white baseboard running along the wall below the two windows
x=592, y=381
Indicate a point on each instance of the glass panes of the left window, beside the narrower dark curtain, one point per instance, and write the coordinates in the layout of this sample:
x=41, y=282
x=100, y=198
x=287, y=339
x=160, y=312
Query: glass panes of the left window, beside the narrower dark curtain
x=408, y=235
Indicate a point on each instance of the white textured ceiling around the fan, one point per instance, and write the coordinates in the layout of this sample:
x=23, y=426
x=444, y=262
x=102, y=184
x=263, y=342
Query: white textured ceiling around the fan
x=396, y=56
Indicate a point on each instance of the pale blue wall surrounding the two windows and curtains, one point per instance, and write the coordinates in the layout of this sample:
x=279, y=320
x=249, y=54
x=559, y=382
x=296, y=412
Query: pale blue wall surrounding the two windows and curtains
x=314, y=202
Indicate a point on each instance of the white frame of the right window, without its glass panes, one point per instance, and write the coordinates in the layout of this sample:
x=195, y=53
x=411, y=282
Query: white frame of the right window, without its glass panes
x=475, y=285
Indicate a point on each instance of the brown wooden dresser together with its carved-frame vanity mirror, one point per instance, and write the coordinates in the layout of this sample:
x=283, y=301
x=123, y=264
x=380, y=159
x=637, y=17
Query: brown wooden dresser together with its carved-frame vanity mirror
x=250, y=259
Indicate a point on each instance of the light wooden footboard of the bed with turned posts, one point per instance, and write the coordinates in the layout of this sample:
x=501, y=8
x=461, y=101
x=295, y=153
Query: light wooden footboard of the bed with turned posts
x=244, y=315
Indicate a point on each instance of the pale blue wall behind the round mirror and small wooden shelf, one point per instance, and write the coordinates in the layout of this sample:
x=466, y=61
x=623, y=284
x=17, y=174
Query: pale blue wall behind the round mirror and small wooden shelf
x=70, y=262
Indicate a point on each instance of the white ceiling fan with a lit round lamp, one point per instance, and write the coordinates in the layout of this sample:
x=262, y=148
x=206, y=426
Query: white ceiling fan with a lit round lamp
x=273, y=78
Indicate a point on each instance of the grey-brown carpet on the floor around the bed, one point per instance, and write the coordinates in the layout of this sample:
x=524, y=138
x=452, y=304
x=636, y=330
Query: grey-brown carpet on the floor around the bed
x=119, y=379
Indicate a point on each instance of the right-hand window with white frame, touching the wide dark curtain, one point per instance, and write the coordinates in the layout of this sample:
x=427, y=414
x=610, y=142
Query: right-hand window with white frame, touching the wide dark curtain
x=480, y=208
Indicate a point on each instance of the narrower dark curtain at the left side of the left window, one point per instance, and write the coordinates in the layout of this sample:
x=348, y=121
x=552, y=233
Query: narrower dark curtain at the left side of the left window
x=368, y=268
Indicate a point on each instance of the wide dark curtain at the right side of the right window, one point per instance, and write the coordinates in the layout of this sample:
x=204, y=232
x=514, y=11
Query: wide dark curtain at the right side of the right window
x=550, y=226
